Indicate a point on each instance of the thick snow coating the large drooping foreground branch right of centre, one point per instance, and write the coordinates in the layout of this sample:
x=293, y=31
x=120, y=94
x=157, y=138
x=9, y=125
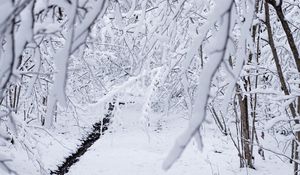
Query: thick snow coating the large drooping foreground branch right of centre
x=202, y=92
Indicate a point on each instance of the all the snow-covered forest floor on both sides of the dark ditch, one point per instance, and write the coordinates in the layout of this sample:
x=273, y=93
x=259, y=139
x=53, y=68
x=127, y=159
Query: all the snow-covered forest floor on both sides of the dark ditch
x=127, y=148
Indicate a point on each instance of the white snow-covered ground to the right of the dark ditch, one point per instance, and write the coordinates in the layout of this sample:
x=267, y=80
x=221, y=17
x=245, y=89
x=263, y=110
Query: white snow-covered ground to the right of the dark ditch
x=127, y=150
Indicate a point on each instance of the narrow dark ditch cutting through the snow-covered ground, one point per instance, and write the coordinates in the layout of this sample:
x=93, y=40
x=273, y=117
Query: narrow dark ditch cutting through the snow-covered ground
x=98, y=129
